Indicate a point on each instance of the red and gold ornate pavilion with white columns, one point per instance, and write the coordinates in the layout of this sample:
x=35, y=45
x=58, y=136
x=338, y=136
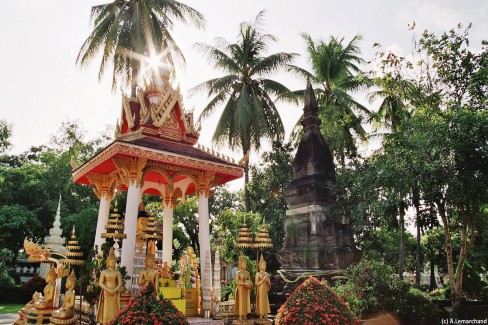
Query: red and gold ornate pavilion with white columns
x=155, y=152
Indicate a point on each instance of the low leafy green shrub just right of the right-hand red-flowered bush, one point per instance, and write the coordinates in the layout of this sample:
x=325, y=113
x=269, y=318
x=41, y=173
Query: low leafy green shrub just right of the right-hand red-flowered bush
x=373, y=287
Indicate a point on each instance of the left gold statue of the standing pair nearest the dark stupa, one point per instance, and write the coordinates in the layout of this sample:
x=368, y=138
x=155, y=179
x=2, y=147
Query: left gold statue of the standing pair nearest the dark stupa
x=243, y=291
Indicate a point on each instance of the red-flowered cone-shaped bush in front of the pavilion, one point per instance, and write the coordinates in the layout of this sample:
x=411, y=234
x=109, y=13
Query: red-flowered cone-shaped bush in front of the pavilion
x=145, y=308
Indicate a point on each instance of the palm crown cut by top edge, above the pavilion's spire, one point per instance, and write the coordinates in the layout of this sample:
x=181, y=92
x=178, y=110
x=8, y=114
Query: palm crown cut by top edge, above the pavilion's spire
x=129, y=31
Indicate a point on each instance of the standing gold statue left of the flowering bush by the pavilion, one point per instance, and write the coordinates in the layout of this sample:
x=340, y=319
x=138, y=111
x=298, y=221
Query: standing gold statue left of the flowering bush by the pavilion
x=111, y=284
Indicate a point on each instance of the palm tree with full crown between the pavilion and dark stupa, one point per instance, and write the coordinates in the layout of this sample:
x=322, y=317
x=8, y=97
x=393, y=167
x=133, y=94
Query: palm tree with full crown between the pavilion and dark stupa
x=249, y=113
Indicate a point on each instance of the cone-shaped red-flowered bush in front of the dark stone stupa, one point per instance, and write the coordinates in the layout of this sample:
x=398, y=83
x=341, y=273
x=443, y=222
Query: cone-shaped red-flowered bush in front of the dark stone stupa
x=313, y=302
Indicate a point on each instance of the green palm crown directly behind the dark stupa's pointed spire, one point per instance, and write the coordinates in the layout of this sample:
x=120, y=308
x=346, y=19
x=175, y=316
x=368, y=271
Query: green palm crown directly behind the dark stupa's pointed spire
x=334, y=69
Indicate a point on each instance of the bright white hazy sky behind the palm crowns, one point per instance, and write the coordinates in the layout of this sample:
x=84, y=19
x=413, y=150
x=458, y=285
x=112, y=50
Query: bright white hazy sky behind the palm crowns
x=41, y=85
